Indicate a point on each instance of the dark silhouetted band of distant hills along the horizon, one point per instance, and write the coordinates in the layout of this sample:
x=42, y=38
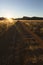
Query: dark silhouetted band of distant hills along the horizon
x=24, y=18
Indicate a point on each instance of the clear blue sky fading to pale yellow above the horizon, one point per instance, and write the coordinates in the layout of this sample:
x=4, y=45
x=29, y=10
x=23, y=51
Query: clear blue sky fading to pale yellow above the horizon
x=20, y=8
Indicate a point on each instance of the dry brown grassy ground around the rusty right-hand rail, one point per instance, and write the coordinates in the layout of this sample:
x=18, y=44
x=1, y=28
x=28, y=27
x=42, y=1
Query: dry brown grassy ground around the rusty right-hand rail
x=17, y=46
